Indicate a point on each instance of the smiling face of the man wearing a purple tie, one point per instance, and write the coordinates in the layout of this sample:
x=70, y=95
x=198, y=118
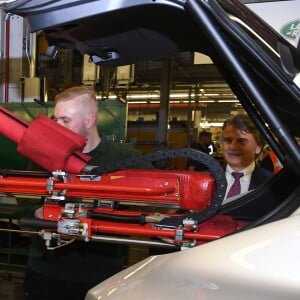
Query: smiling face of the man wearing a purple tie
x=239, y=148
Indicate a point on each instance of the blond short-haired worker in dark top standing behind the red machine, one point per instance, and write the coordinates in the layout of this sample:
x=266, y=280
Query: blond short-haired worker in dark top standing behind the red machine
x=70, y=271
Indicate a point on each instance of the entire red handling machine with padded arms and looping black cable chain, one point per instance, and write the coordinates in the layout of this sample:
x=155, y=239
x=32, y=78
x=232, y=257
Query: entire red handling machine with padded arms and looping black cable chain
x=166, y=208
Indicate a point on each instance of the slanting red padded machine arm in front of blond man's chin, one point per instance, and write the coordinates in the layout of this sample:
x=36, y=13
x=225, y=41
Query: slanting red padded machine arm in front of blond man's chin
x=58, y=147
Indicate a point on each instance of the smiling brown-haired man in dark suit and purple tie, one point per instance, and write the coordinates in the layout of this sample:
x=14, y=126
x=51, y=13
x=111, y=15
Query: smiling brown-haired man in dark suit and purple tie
x=242, y=143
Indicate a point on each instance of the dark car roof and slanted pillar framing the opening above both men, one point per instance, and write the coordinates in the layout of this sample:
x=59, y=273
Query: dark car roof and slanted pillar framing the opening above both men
x=259, y=65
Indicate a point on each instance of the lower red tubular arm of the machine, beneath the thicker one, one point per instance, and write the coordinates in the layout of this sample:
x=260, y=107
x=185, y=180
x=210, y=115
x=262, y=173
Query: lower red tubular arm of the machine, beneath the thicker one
x=214, y=228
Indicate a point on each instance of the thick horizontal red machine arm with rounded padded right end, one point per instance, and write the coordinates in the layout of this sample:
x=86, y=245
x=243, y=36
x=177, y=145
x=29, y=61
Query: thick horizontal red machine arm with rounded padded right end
x=181, y=189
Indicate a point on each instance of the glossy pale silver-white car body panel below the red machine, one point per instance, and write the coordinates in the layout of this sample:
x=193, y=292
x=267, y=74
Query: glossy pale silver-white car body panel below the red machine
x=261, y=263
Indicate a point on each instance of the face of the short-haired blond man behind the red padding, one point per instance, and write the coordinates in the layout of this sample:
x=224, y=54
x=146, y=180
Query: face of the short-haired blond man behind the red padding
x=68, y=115
